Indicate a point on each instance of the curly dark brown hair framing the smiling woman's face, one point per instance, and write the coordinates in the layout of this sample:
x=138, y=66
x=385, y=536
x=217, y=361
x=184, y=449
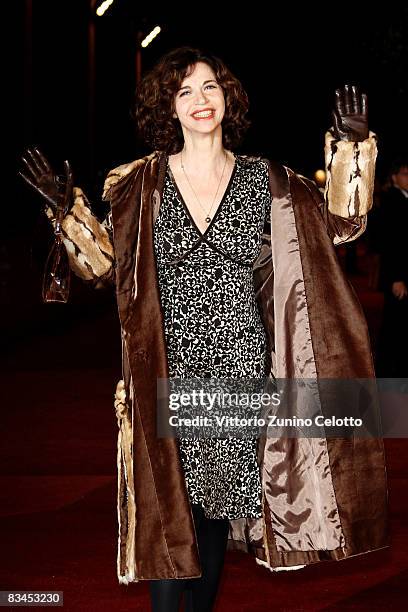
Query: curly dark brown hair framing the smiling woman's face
x=155, y=98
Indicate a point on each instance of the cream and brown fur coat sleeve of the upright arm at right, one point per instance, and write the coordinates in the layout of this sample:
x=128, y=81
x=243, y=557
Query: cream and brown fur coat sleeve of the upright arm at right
x=348, y=194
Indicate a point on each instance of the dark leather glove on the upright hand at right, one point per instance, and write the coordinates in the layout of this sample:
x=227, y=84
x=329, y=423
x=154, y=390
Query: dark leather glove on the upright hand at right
x=350, y=121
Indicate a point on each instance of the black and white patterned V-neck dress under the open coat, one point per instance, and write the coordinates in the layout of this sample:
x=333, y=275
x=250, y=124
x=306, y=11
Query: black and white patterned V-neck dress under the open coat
x=213, y=326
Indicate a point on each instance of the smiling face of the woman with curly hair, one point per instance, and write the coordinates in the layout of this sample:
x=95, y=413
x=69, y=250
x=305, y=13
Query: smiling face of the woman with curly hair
x=200, y=92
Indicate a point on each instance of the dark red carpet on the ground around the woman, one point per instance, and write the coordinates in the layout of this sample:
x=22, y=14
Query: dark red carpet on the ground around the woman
x=58, y=479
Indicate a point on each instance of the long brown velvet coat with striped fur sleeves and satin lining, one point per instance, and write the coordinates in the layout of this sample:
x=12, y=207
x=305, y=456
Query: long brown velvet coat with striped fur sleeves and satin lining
x=323, y=499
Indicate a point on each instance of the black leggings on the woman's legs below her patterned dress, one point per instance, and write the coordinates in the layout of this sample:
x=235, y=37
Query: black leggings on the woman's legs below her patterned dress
x=200, y=593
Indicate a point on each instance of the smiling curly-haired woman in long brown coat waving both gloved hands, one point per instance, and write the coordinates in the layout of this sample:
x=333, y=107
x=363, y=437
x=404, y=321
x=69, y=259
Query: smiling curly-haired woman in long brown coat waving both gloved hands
x=222, y=265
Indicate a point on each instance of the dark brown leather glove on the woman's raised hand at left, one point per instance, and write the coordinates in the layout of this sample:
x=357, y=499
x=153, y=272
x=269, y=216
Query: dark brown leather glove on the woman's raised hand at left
x=38, y=173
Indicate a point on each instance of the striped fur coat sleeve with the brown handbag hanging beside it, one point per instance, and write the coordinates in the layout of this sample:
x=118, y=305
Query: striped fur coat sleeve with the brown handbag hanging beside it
x=88, y=242
